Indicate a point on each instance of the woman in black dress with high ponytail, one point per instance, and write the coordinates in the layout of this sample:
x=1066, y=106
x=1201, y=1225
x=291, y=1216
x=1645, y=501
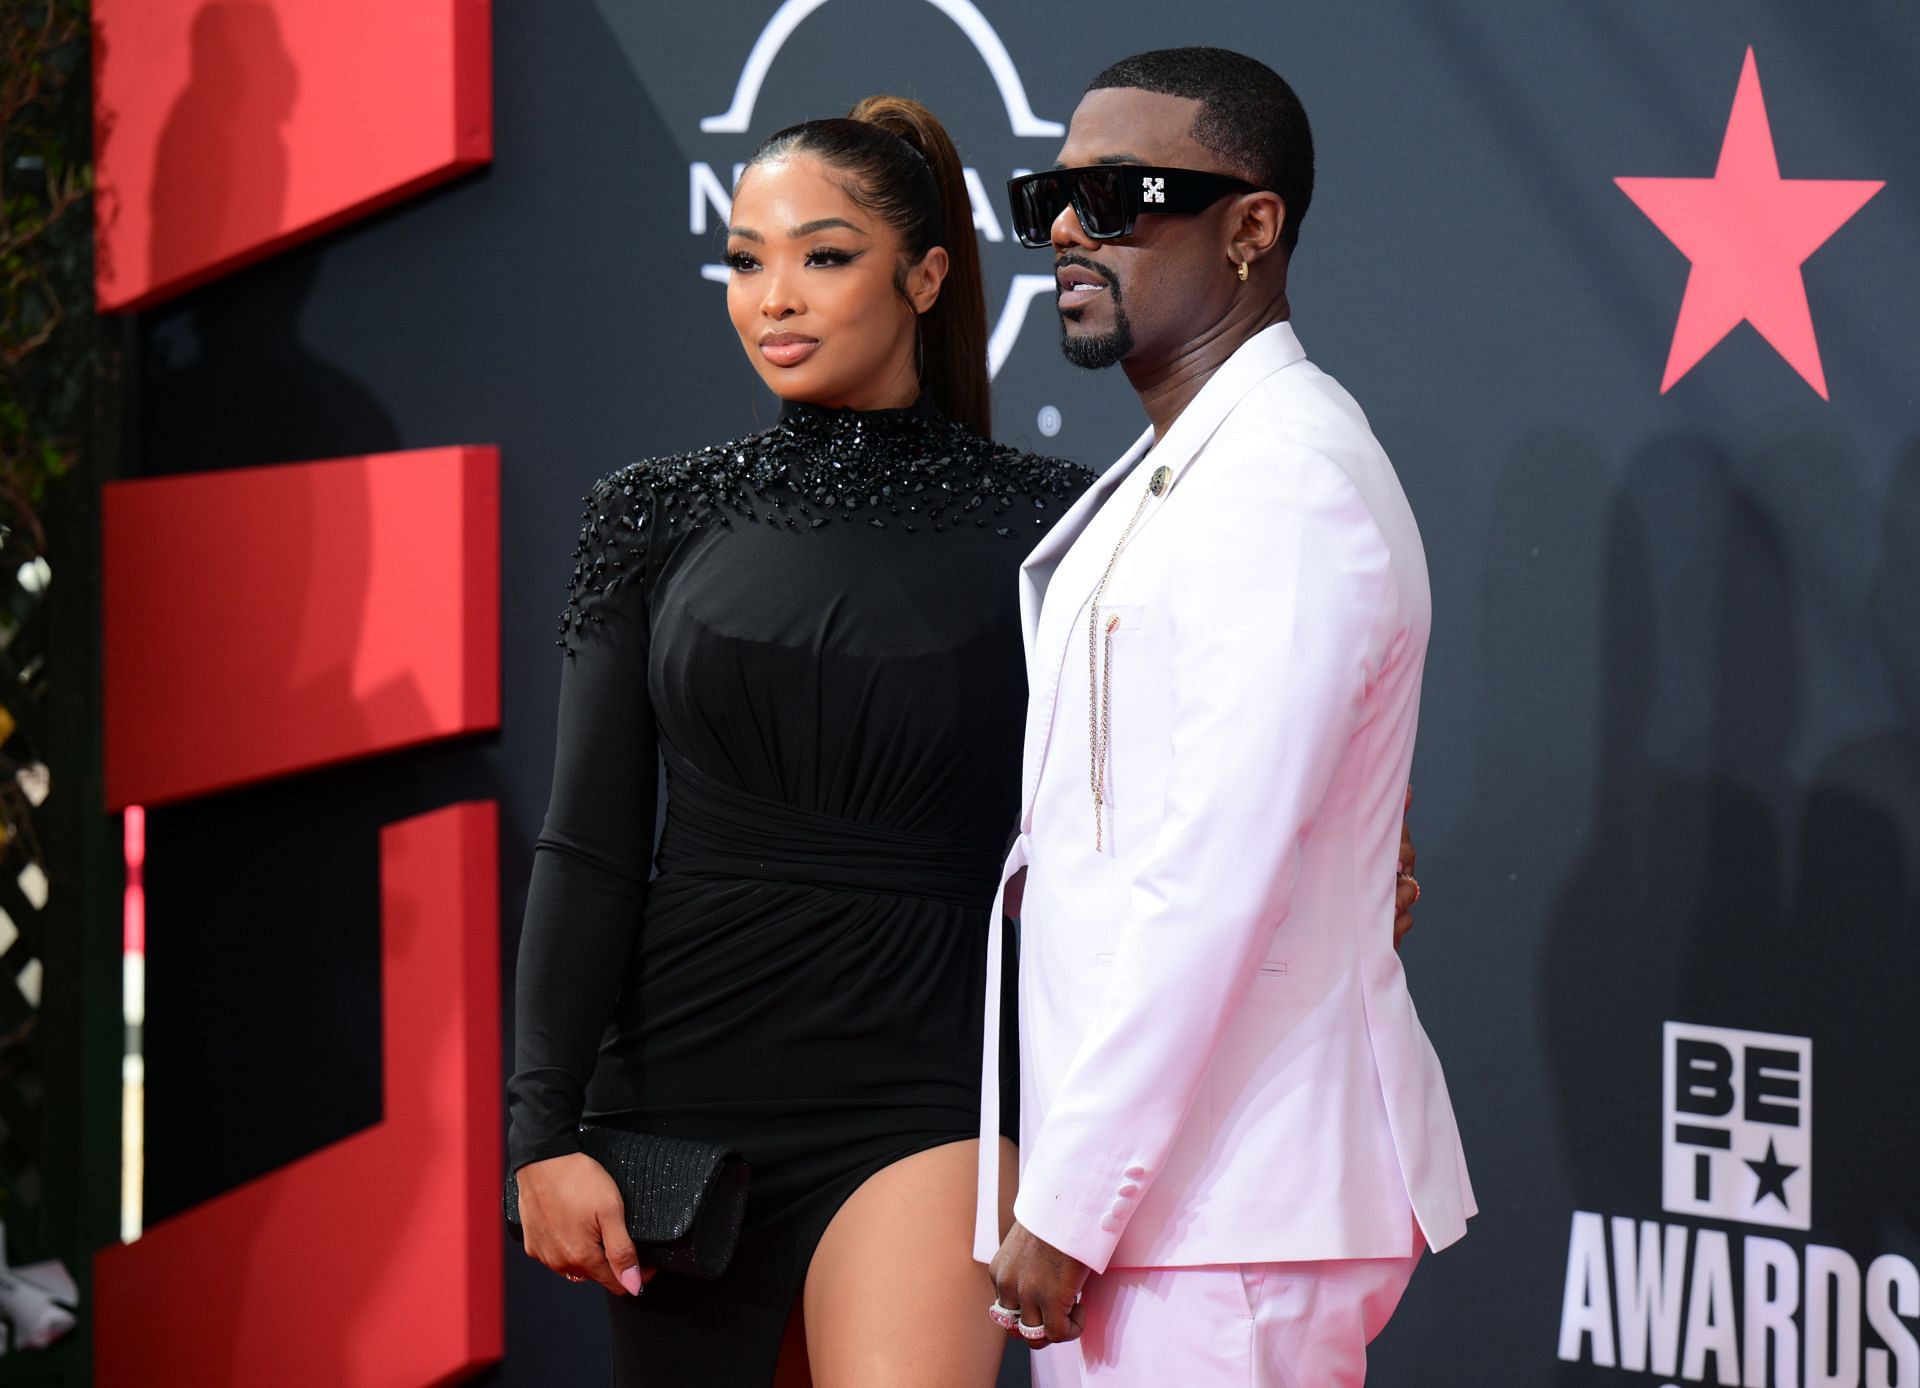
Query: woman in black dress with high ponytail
x=817, y=629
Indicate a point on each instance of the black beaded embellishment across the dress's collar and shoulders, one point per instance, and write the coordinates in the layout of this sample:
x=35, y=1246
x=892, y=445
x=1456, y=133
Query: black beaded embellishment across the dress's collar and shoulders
x=848, y=464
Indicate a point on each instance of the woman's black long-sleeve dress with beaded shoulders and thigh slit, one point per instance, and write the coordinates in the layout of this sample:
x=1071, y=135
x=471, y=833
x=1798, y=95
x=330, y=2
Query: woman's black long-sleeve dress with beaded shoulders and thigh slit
x=817, y=631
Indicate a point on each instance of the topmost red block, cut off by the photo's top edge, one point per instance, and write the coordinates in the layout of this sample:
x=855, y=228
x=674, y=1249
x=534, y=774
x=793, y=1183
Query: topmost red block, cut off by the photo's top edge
x=229, y=130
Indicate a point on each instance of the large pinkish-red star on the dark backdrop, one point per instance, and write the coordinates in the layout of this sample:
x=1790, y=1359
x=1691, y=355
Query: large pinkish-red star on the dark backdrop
x=1748, y=231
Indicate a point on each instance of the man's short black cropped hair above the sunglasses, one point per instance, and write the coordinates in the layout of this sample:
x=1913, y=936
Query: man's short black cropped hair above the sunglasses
x=1249, y=116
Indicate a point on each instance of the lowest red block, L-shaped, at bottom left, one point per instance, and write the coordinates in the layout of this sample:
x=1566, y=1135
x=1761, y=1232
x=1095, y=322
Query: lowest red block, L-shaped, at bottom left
x=375, y=1262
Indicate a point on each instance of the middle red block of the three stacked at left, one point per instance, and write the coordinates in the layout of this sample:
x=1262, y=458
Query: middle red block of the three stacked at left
x=270, y=621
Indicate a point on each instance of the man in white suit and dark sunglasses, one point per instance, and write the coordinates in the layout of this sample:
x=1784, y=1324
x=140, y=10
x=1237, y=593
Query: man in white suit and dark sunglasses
x=1236, y=1136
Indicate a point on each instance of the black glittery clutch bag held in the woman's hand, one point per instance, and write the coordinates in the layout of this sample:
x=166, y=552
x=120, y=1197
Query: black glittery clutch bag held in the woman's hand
x=684, y=1201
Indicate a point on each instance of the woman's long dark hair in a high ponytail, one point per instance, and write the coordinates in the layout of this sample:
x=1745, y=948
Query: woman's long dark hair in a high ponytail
x=903, y=168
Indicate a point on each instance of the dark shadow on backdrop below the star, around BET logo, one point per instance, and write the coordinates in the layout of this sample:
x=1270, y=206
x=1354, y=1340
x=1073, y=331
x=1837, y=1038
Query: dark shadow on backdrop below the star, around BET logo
x=1723, y=884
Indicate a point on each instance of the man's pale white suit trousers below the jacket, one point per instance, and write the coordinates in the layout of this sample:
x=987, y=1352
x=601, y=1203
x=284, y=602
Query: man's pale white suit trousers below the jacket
x=1255, y=1326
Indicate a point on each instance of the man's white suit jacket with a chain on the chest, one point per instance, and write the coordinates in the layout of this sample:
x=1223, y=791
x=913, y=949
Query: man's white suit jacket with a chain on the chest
x=1220, y=1059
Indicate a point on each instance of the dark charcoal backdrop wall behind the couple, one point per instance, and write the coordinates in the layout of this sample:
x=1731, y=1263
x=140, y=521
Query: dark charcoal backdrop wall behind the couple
x=1671, y=757
